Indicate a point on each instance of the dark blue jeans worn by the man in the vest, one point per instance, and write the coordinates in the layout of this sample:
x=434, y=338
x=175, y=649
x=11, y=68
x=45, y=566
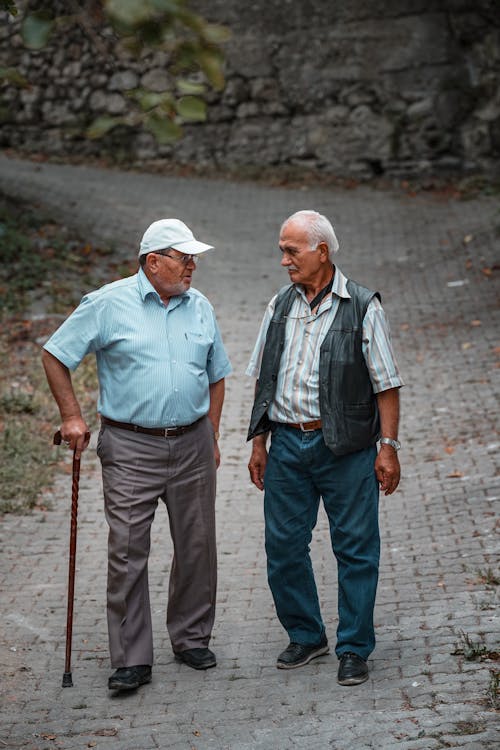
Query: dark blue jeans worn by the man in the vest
x=300, y=470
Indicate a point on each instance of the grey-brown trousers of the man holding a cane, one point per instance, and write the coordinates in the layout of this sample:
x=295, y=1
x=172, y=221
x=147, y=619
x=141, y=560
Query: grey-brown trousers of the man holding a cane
x=138, y=470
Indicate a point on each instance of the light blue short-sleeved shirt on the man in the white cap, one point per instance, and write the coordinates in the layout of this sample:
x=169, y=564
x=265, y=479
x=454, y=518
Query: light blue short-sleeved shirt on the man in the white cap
x=154, y=361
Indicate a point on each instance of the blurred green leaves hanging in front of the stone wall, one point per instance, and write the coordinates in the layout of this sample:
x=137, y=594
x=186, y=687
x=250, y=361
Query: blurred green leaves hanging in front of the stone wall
x=139, y=27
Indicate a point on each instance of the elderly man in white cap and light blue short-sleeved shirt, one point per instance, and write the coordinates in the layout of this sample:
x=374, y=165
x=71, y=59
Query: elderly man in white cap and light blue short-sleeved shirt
x=161, y=366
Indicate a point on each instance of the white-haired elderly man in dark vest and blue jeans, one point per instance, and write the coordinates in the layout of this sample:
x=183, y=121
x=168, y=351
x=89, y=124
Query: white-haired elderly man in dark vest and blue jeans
x=327, y=391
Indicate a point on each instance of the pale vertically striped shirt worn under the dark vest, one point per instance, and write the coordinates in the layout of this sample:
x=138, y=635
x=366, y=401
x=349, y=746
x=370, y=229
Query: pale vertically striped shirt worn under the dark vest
x=297, y=388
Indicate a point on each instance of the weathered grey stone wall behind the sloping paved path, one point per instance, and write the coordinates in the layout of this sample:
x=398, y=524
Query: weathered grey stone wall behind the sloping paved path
x=353, y=89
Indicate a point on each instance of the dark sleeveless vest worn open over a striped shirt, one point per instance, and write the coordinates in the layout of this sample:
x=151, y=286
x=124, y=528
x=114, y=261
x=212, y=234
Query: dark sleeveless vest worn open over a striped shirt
x=347, y=403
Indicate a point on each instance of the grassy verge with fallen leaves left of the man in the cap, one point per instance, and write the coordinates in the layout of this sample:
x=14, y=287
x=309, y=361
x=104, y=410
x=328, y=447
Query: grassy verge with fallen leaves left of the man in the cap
x=47, y=267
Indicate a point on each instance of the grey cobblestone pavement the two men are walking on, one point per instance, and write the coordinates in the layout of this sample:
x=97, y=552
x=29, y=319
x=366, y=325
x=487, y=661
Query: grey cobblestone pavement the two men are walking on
x=433, y=259
